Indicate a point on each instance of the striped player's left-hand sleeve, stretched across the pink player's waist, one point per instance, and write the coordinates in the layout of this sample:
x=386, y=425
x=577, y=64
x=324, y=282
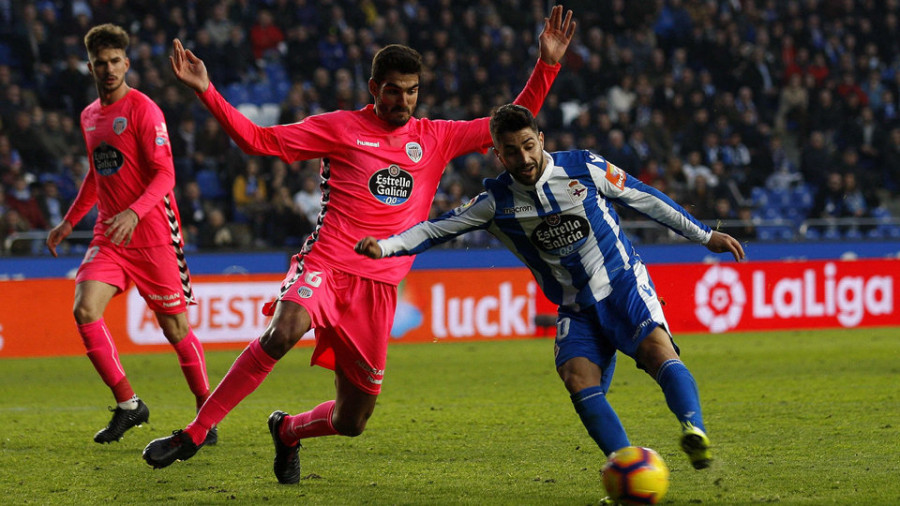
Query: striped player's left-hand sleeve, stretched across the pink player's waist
x=473, y=215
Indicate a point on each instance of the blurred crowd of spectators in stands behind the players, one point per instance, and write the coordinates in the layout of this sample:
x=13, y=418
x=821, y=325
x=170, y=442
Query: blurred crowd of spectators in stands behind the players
x=747, y=112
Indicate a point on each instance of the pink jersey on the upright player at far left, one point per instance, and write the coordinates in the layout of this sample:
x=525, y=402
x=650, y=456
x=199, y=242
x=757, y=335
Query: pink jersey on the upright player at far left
x=131, y=167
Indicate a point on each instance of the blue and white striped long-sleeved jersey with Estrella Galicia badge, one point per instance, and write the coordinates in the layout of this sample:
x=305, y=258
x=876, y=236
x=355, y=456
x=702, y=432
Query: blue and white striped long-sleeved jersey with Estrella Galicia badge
x=564, y=228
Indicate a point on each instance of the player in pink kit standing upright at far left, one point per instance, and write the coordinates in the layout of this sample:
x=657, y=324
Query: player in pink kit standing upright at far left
x=137, y=236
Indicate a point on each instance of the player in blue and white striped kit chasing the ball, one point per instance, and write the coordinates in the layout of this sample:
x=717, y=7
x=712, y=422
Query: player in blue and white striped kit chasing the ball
x=554, y=212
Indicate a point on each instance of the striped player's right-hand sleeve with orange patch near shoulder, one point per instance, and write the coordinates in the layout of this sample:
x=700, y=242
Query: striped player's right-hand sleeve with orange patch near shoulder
x=615, y=183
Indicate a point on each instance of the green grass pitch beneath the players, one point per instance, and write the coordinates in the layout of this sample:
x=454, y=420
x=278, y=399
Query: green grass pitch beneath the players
x=805, y=417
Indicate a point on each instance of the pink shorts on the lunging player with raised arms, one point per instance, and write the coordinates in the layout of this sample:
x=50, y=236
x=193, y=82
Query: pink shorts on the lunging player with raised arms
x=352, y=317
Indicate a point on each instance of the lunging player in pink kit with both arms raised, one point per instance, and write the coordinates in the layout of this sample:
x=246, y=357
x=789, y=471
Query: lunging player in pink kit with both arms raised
x=381, y=168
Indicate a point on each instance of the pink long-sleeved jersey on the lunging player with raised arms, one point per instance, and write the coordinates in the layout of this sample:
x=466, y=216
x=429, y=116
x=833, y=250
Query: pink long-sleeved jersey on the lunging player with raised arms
x=379, y=179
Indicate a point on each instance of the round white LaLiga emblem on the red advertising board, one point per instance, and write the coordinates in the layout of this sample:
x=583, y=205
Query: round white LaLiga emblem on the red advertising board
x=720, y=299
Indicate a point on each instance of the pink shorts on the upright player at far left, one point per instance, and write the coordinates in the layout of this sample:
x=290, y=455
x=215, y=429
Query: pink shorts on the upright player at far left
x=159, y=273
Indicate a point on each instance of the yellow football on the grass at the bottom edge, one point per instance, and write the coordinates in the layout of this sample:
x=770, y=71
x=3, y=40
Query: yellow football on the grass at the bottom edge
x=635, y=475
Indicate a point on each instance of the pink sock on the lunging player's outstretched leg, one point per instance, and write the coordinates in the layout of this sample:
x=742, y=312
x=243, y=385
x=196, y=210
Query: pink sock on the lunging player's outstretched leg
x=248, y=372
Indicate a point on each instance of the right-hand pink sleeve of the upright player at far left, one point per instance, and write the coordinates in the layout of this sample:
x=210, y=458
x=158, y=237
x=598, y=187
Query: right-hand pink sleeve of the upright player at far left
x=156, y=150
